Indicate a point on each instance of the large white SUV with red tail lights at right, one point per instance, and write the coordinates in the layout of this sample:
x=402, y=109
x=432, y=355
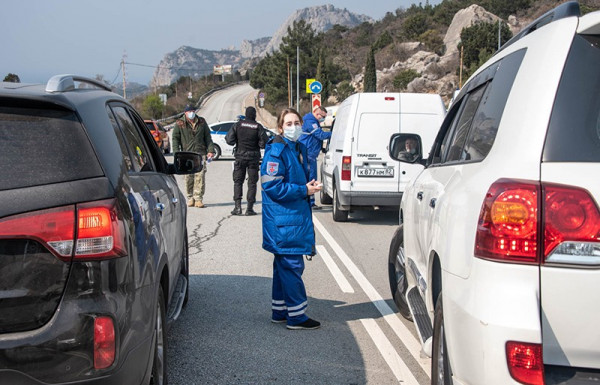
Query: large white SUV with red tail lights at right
x=497, y=257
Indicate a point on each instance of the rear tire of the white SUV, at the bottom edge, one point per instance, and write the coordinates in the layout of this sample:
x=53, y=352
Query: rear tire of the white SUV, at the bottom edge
x=440, y=365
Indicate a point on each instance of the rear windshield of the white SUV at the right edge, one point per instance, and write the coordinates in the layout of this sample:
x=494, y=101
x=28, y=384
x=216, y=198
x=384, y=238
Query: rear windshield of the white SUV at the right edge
x=574, y=131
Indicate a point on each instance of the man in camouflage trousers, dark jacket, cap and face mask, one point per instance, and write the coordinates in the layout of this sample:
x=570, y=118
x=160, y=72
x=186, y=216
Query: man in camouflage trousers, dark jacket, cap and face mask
x=191, y=133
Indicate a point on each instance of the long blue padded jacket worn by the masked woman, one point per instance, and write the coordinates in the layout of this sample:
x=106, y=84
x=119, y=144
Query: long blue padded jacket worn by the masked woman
x=286, y=214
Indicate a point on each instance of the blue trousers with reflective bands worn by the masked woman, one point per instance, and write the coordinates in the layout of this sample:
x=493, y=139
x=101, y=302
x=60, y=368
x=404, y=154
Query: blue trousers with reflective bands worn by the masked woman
x=289, y=295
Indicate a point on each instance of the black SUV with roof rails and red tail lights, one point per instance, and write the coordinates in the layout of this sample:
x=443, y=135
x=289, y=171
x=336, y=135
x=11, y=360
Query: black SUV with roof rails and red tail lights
x=93, y=240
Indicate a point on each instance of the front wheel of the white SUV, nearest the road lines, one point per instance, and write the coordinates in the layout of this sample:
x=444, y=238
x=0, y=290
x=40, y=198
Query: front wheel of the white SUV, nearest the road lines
x=397, y=272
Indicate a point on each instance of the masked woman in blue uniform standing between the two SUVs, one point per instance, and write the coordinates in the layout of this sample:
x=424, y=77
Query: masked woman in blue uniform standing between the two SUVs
x=288, y=230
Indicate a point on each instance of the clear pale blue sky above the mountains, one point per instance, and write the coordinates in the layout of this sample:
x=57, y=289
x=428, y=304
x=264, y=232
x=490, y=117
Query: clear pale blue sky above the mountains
x=41, y=38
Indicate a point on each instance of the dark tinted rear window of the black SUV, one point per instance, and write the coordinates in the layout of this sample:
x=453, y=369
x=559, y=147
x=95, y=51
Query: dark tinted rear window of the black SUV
x=41, y=146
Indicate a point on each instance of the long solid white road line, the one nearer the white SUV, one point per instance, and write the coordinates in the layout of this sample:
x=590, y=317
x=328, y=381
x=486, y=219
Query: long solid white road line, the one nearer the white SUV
x=411, y=343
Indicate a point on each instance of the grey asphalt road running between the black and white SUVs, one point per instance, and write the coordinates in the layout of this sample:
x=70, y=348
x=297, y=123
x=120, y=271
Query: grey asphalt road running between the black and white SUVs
x=224, y=336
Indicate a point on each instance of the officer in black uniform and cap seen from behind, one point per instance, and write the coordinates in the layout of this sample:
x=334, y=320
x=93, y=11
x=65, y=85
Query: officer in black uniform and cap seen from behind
x=249, y=137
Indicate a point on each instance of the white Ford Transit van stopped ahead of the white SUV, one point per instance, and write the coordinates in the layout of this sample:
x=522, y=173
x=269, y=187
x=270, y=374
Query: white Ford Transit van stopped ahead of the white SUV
x=357, y=170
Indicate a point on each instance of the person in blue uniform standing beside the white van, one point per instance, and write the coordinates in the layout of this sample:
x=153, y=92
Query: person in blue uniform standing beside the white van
x=313, y=137
